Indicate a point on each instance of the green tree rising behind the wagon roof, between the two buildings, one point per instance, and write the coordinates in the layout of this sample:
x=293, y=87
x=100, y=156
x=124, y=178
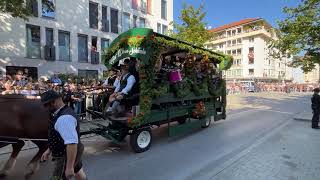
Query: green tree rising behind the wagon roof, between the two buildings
x=193, y=28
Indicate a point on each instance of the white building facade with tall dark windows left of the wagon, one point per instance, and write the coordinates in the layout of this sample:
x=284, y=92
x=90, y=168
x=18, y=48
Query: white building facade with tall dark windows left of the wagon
x=70, y=36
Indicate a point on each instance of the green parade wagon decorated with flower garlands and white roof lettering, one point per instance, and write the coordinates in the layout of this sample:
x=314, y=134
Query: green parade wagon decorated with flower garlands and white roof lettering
x=178, y=84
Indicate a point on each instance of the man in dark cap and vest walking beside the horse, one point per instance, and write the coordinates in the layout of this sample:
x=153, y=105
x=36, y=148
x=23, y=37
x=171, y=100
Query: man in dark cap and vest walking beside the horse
x=63, y=138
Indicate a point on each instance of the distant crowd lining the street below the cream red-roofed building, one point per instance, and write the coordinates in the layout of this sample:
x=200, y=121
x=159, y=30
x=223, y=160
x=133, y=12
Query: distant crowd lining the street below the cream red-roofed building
x=238, y=88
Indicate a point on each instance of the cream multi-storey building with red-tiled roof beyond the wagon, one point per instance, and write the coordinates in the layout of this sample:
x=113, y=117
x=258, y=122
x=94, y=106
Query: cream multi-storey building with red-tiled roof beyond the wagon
x=247, y=41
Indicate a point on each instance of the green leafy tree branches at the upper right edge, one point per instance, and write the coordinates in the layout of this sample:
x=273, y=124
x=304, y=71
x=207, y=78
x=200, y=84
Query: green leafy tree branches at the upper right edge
x=300, y=33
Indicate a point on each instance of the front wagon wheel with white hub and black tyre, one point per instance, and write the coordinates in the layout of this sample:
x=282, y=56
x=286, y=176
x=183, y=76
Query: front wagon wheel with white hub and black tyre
x=140, y=140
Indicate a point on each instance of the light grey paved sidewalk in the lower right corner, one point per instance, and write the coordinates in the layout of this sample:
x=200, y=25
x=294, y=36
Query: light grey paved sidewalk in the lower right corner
x=290, y=153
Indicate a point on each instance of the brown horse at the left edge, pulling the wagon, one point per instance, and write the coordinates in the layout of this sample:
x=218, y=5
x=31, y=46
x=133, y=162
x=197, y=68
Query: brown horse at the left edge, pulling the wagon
x=22, y=118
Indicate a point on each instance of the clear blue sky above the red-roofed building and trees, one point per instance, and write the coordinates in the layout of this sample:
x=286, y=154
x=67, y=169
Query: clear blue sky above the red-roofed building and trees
x=221, y=12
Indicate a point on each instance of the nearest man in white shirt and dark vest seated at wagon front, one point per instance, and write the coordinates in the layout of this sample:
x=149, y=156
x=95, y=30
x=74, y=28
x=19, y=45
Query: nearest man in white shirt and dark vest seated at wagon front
x=123, y=88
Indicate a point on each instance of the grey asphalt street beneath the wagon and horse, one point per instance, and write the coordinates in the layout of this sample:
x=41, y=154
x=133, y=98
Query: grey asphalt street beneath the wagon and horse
x=199, y=155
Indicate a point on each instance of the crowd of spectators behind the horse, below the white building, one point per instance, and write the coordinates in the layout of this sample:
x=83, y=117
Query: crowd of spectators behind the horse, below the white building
x=78, y=95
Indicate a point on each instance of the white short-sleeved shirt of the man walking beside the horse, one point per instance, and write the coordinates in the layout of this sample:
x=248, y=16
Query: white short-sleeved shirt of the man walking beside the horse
x=66, y=126
